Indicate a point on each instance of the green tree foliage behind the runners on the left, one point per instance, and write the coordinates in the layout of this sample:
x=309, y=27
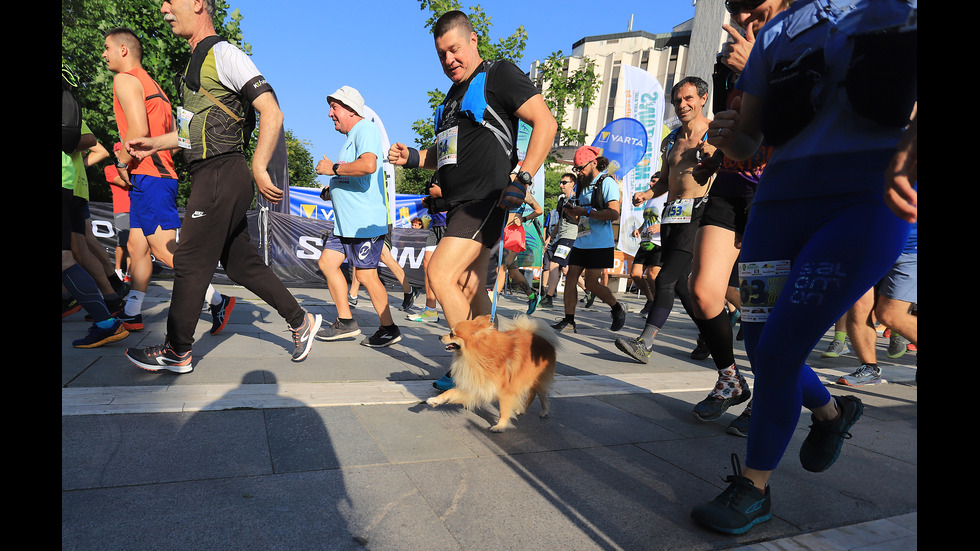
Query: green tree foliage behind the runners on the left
x=83, y=27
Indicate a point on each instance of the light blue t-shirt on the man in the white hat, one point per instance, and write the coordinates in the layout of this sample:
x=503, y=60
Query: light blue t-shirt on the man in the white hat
x=359, y=201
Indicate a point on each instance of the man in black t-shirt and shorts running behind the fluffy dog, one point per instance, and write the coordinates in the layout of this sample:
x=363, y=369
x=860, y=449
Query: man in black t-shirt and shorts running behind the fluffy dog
x=475, y=162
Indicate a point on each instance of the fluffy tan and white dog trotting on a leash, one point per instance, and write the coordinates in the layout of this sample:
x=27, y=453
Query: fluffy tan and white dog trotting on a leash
x=512, y=366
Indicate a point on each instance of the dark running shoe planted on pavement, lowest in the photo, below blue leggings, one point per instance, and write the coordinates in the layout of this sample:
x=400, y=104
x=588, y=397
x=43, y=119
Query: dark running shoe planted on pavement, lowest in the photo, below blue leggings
x=740, y=507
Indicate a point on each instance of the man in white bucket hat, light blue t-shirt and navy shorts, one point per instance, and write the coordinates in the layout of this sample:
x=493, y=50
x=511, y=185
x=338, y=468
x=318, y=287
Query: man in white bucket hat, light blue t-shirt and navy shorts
x=360, y=219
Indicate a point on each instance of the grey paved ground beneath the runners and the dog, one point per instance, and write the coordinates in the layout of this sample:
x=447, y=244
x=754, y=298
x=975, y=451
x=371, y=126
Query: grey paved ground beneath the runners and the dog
x=253, y=451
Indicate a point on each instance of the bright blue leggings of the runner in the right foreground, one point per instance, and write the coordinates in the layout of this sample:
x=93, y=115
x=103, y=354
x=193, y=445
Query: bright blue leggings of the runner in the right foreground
x=839, y=247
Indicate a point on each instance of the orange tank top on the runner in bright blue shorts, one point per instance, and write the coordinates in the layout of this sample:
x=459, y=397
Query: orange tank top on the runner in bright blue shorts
x=160, y=116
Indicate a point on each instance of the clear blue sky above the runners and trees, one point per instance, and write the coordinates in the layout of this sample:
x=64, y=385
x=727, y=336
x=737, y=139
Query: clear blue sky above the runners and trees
x=307, y=49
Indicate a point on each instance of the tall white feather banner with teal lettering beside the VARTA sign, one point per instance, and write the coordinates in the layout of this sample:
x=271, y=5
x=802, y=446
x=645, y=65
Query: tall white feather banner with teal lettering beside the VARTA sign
x=644, y=101
